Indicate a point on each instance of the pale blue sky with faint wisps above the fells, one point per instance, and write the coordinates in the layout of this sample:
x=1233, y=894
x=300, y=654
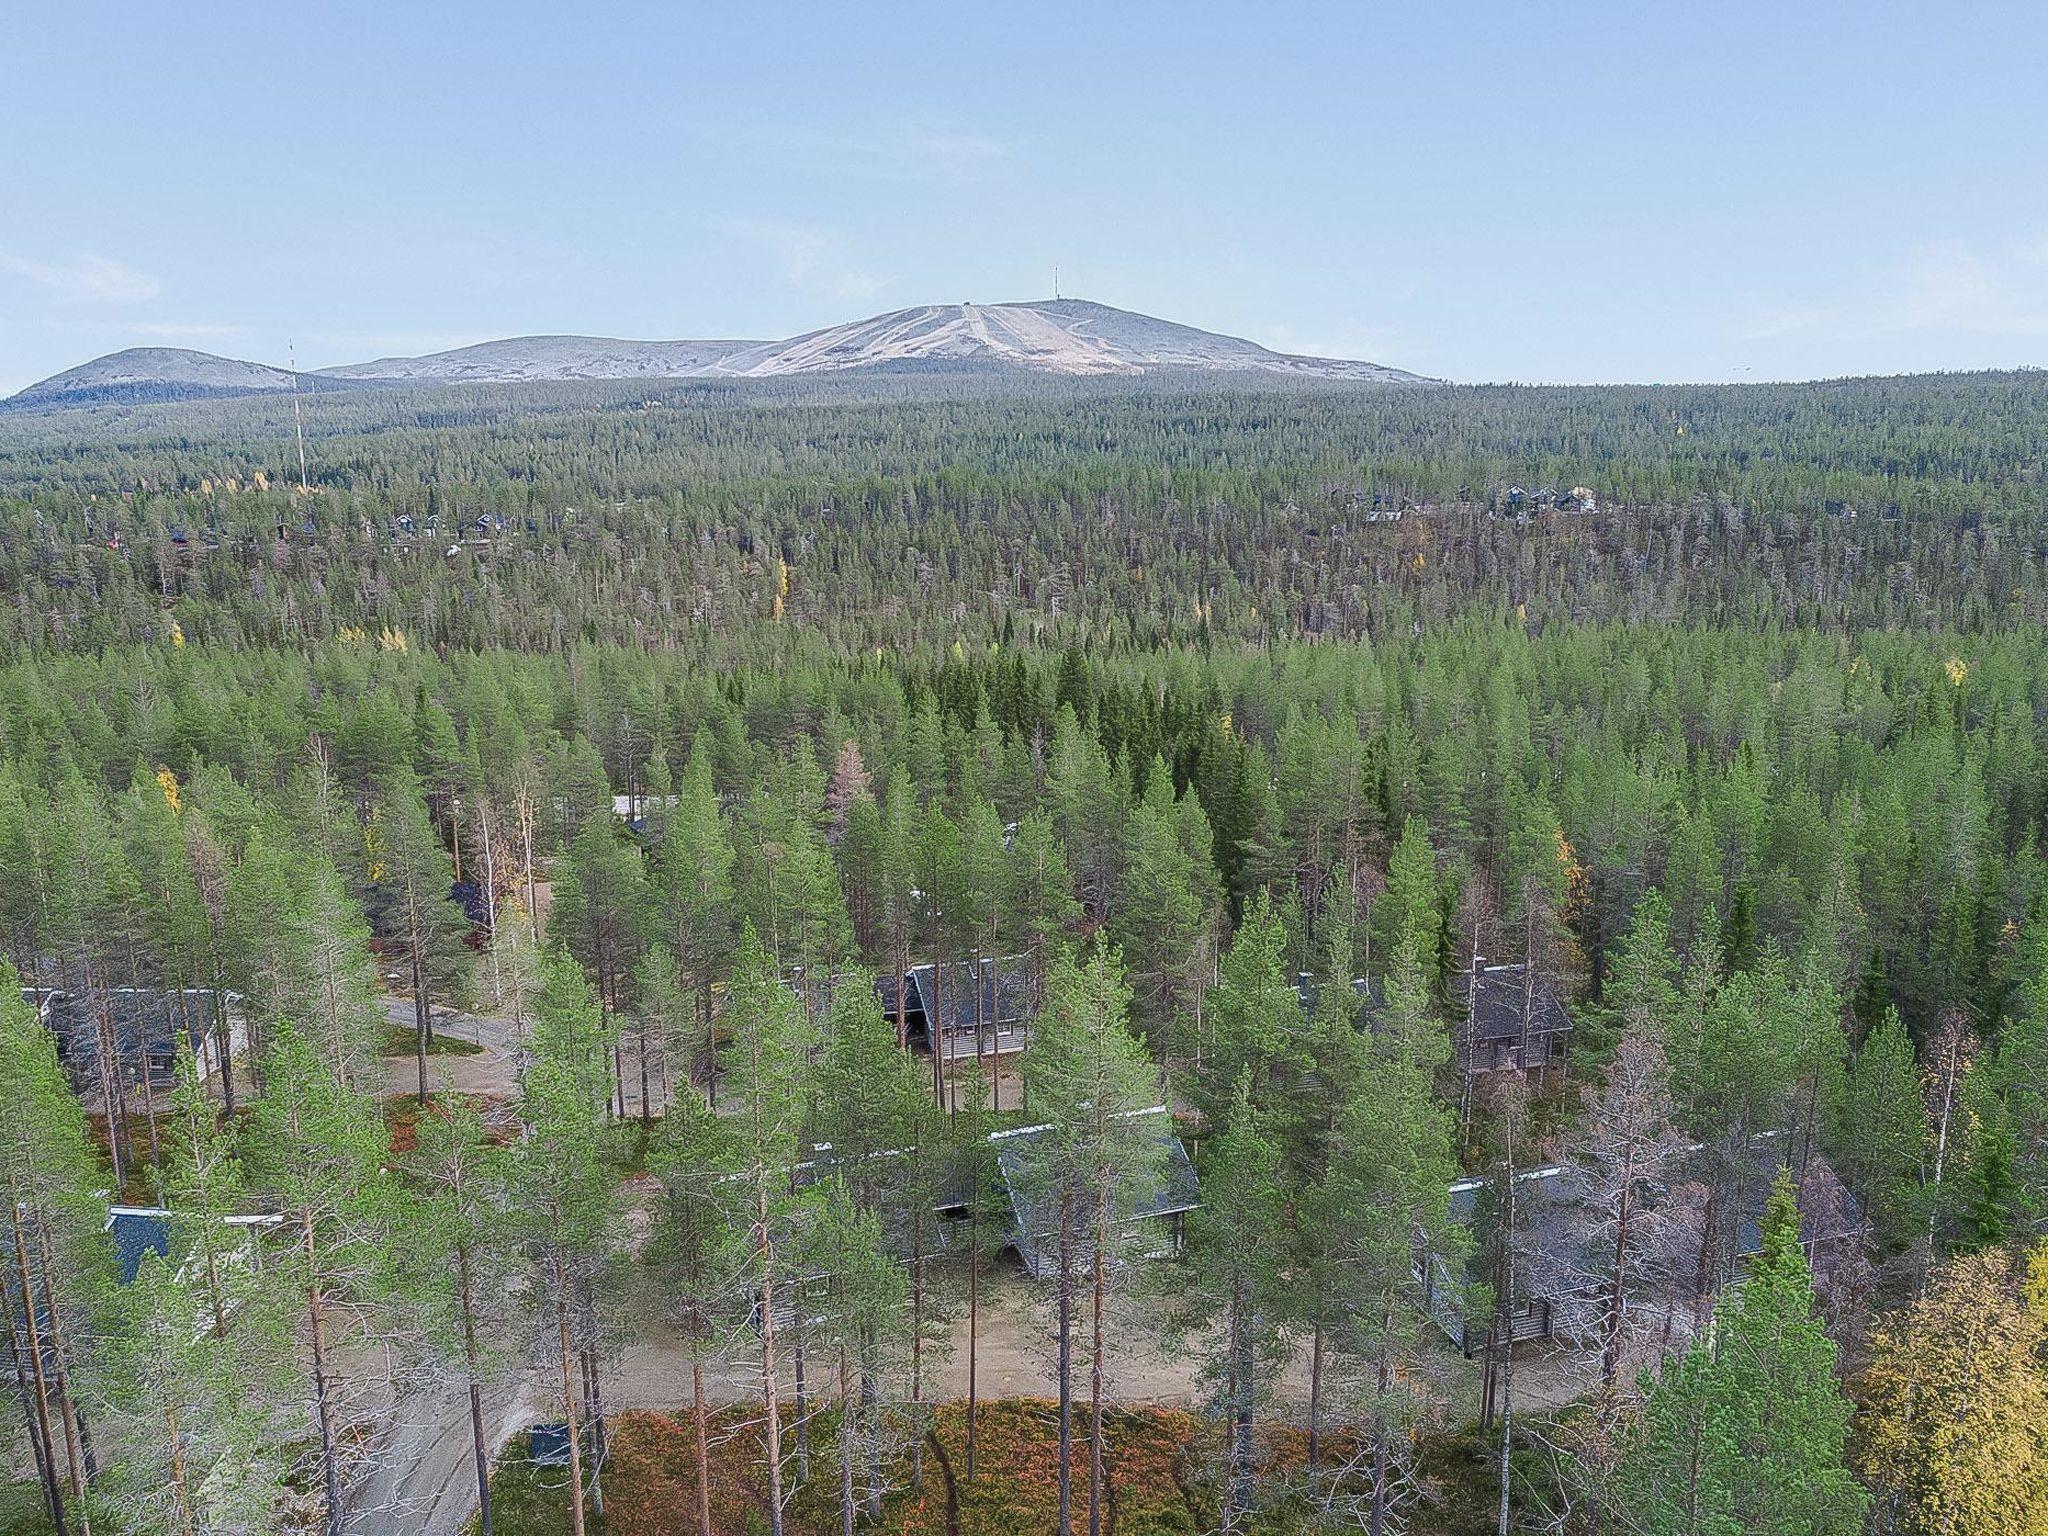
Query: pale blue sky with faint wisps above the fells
x=1484, y=191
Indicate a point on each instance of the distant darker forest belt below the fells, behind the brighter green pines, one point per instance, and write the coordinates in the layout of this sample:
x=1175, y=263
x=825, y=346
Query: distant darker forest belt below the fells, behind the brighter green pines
x=1125, y=515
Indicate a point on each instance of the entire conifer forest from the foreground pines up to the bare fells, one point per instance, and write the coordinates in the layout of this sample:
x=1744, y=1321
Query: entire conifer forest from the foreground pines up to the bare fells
x=1717, y=714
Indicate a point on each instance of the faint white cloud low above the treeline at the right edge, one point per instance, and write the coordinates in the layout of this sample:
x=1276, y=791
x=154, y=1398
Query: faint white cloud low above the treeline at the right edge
x=1945, y=286
